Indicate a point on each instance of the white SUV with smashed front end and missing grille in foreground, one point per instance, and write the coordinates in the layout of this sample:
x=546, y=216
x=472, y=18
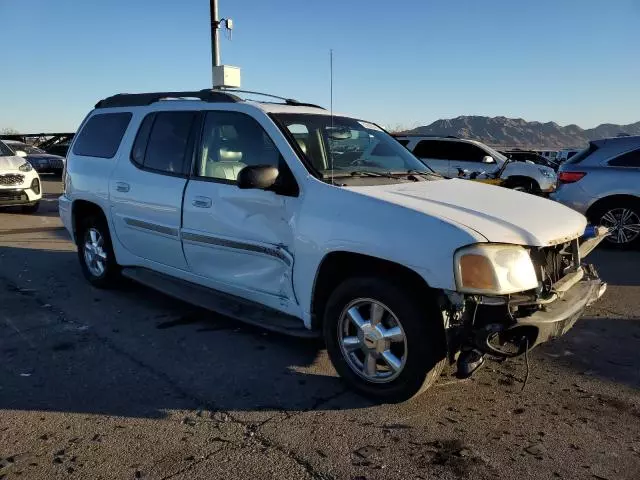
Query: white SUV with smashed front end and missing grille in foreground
x=287, y=217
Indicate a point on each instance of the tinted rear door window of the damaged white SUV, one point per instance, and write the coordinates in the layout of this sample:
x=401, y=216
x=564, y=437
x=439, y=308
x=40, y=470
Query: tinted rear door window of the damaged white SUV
x=164, y=141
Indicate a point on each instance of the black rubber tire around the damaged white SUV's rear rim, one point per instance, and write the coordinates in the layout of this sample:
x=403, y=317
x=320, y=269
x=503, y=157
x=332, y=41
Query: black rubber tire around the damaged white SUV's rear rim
x=111, y=274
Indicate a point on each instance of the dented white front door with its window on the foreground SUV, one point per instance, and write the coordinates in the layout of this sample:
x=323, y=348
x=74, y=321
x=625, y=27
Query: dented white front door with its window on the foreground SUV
x=239, y=240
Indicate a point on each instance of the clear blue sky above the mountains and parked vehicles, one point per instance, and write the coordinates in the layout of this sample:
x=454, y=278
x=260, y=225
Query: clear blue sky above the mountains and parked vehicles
x=406, y=62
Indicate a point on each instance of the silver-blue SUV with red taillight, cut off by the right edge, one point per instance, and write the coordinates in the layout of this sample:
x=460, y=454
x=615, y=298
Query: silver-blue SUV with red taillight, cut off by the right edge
x=603, y=182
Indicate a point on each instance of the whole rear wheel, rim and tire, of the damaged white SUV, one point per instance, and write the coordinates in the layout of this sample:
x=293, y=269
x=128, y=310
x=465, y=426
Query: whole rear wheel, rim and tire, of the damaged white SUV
x=95, y=253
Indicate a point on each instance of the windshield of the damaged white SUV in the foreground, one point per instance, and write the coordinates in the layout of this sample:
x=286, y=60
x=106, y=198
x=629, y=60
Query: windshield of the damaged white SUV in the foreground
x=347, y=146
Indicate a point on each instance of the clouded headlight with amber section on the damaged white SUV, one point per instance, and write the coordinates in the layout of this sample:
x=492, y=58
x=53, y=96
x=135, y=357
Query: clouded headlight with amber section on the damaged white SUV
x=494, y=269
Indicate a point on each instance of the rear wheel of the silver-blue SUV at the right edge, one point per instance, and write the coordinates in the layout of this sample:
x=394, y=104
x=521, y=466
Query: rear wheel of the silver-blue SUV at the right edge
x=622, y=218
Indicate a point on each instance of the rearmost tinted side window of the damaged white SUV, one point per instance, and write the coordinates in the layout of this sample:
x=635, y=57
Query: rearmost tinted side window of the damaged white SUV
x=102, y=134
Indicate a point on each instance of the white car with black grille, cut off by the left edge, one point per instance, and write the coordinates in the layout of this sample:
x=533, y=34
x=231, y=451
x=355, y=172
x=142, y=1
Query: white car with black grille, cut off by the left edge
x=19, y=182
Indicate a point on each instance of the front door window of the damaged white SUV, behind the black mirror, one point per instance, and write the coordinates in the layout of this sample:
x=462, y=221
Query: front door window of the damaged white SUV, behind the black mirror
x=230, y=142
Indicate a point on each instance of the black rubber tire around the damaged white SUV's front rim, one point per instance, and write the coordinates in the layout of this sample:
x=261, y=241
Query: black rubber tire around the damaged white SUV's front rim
x=421, y=322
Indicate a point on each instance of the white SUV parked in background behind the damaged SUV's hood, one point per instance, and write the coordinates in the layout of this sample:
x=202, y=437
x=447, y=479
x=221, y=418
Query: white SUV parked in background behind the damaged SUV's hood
x=453, y=157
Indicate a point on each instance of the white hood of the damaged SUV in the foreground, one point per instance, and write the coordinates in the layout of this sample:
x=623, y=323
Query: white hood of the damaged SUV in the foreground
x=497, y=213
